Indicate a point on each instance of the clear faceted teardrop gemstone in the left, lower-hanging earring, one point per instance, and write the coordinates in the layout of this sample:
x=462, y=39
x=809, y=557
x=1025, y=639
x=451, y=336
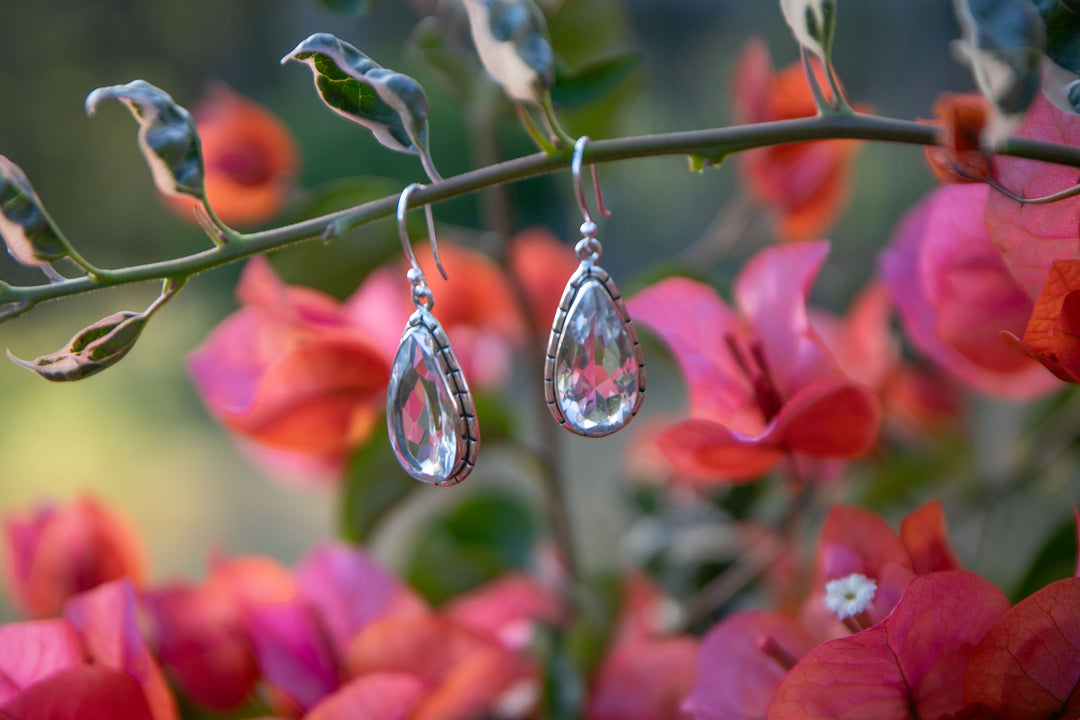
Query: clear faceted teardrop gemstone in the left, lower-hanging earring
x=422, y=415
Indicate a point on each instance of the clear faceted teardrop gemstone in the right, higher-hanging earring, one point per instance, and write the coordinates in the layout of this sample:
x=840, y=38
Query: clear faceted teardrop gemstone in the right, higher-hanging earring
x=596, y=369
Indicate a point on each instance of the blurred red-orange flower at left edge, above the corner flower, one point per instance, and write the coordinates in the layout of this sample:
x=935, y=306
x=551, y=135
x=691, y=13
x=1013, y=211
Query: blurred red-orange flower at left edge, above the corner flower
x=60, y=551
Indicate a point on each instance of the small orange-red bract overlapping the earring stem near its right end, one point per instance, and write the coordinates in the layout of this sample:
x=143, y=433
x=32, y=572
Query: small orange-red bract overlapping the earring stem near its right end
x=961, y=158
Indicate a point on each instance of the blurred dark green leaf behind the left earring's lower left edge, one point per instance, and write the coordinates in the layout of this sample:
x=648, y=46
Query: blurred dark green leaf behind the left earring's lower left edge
x=375, y=486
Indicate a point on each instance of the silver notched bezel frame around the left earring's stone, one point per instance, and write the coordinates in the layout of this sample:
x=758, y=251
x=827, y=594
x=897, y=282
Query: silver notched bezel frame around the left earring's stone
x=466, y=427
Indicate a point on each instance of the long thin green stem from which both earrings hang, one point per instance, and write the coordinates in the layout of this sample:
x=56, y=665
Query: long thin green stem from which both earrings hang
x=723, y=141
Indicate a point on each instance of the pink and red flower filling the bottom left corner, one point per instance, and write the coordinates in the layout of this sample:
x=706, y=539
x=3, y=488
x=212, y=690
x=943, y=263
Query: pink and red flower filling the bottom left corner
x=90, y=664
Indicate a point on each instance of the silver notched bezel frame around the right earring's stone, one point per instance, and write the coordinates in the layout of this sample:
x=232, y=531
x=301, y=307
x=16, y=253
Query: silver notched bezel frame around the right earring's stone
x=589, y=271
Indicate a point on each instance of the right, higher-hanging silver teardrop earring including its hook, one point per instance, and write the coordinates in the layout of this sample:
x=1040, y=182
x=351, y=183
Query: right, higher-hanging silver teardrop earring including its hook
x=595, y=372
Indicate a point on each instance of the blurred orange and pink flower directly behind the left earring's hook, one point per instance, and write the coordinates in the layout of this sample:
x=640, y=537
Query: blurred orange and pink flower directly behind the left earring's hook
x=476, y=307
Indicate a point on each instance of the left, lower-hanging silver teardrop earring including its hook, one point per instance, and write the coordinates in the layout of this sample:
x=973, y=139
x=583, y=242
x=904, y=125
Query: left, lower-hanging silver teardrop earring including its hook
x=430, y=412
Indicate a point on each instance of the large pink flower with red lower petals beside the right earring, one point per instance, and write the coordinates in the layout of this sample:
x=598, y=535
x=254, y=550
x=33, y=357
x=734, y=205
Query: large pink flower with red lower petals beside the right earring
x=762, y=382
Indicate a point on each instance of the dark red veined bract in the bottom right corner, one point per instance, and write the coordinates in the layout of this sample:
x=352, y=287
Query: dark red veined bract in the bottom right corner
x=1028, y=668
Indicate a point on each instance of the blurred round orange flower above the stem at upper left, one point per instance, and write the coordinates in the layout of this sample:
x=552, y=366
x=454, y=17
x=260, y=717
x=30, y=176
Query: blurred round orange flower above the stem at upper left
x=251, y=160
